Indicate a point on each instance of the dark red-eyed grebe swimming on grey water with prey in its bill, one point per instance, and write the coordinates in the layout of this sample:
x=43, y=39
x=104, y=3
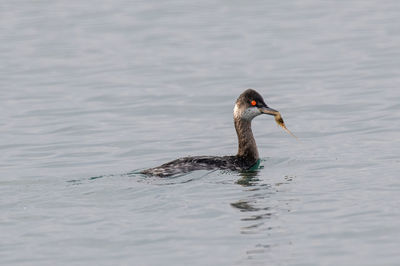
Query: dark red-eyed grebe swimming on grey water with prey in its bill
x=249, y=105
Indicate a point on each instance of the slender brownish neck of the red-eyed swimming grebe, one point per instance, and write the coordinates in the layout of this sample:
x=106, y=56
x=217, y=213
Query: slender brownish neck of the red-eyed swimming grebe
x=247, y=144
